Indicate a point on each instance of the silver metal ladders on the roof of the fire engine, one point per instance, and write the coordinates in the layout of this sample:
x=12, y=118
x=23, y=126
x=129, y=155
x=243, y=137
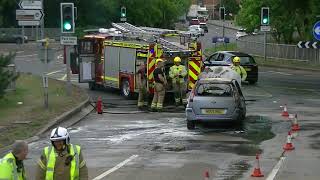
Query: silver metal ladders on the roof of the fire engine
x=146, y=31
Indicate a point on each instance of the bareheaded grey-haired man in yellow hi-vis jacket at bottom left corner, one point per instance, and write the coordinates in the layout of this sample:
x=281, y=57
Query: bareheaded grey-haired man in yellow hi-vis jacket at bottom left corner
x=11, y=165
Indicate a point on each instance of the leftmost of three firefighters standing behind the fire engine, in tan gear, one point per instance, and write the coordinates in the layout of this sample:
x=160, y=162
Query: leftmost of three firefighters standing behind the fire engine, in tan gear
x=142, y=85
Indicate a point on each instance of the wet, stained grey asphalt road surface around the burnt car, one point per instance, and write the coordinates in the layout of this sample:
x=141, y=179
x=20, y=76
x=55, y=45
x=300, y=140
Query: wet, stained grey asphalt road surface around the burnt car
x=129, y=144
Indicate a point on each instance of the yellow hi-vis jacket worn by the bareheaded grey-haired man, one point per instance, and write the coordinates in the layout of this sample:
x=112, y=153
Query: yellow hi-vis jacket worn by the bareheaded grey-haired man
x=8, y=169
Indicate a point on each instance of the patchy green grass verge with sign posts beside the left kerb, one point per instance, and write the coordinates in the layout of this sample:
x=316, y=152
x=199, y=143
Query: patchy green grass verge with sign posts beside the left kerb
x=22, y=112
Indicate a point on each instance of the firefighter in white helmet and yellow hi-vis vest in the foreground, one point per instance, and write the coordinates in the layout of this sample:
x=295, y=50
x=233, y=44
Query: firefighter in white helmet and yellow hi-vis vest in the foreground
x=61, y=160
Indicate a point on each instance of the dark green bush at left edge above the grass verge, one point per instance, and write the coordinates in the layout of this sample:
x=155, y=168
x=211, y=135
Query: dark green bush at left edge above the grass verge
x=6, y=76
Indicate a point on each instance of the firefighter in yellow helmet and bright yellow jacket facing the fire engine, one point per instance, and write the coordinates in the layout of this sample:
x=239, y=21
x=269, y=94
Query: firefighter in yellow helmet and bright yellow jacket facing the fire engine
x=177, y=74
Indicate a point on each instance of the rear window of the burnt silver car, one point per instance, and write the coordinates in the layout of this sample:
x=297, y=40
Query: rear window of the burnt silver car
x=214, y=90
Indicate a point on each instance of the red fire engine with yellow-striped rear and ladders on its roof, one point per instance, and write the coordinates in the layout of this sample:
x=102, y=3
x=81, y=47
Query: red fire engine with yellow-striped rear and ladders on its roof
x=112, y=59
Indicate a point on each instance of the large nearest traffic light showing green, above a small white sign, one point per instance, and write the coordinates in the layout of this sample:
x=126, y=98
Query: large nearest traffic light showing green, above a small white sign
x=67, y=17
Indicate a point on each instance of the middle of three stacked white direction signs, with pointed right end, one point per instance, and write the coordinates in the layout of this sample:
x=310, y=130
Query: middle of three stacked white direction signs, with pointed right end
x=29, y=15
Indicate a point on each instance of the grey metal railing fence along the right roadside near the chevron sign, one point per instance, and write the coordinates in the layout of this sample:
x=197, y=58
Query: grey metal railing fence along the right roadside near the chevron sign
x=280, y=51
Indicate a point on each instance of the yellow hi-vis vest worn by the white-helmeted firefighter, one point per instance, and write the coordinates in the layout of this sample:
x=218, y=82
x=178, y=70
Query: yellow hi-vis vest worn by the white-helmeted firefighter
x=51, y=161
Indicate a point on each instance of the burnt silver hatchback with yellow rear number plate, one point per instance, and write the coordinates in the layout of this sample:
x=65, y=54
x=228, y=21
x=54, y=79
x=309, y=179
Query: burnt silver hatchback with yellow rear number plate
x=215, y=100
